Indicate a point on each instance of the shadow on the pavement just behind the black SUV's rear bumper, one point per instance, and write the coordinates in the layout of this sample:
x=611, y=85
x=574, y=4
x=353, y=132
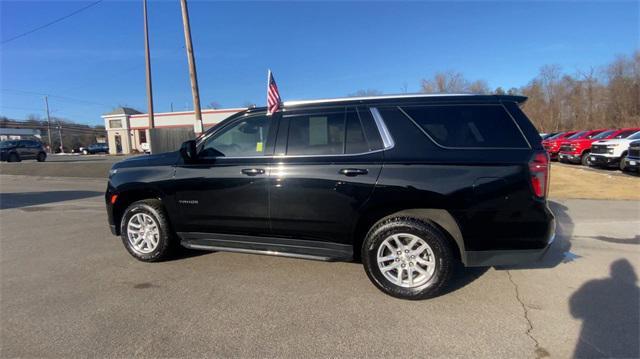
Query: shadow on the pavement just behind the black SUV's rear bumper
x=560, y=249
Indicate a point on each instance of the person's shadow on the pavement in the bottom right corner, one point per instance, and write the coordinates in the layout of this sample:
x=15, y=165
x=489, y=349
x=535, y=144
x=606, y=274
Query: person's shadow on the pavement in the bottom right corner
x=610, y=313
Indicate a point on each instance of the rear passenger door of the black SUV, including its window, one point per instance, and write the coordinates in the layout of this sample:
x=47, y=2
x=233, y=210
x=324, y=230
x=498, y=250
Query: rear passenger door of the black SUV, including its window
x=326, y=167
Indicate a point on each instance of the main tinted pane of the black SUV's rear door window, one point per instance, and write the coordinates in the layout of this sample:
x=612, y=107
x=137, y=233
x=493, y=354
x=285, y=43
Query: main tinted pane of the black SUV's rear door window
x=316, y=134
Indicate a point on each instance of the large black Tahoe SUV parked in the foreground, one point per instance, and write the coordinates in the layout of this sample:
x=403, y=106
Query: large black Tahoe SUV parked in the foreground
x=410, y=185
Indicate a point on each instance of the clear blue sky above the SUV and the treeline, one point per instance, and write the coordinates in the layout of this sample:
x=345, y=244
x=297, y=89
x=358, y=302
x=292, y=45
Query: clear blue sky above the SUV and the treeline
x=93, y=61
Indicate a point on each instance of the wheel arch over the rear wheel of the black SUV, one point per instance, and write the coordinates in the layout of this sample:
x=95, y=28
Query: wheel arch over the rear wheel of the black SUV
x=437, y=216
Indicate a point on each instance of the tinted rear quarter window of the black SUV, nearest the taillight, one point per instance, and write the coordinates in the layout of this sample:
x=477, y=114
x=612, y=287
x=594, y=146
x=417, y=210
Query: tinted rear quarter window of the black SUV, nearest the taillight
x=468, y=125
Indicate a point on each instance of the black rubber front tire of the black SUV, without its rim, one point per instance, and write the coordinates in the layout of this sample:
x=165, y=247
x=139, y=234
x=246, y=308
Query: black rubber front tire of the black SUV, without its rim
x=166, y=239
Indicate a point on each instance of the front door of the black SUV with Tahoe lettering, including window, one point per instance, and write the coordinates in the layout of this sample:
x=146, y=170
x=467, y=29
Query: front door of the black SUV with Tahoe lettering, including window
x=225, y=189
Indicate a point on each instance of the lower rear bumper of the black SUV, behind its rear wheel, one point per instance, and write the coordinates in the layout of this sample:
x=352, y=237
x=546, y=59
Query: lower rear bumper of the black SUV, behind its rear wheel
x=509, y=257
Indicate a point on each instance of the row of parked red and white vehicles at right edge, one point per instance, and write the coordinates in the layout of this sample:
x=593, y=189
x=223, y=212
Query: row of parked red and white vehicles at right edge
x=603, y=148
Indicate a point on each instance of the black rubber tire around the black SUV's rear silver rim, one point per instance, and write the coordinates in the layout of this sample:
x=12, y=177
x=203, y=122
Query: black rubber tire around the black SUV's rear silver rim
x=445, y=261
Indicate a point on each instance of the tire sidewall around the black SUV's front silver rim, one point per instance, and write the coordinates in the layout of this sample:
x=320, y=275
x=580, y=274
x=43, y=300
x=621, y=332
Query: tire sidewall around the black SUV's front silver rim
x=164, y=239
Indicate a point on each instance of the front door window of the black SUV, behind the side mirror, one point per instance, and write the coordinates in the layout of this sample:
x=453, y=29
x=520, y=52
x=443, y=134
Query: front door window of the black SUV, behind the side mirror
x=243, y=139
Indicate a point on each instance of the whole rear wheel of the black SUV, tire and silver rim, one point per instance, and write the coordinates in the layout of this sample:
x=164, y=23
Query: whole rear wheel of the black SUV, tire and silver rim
x=408, y=258
